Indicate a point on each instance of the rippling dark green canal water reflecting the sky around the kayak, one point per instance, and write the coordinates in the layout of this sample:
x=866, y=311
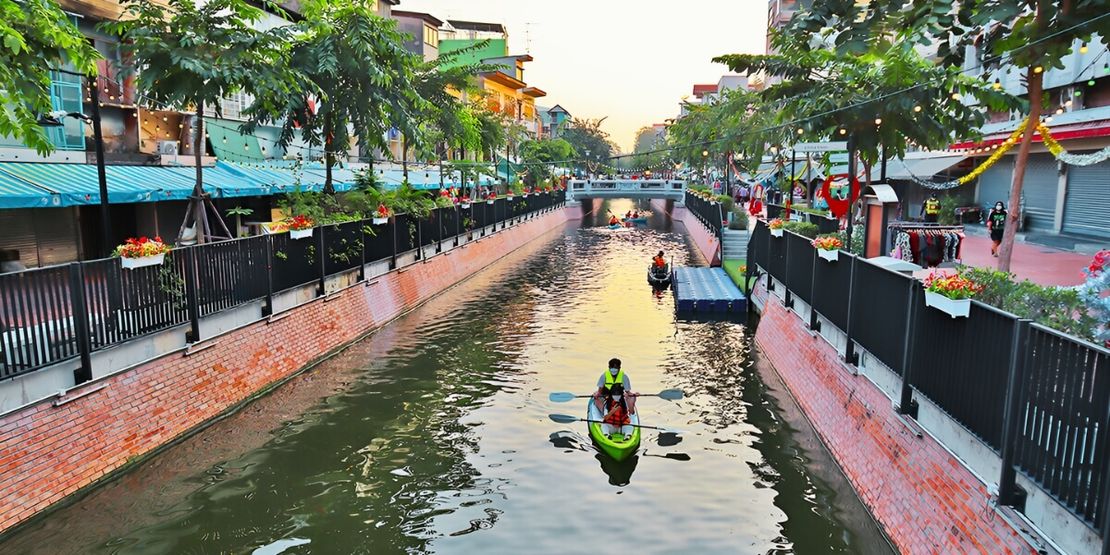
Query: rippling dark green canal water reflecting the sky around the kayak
x=433, y=435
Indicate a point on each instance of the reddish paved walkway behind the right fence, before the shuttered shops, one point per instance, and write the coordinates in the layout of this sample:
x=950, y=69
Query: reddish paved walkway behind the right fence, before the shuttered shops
x=1038, y=264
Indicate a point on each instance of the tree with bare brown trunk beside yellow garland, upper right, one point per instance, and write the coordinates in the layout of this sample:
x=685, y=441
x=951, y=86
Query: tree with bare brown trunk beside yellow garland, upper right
x=1034, y=35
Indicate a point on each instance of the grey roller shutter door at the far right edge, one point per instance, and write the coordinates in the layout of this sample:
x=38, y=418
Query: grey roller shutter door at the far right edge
x=1087, y=207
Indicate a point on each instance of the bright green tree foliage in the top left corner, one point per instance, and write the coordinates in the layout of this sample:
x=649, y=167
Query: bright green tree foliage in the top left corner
x=36, y=36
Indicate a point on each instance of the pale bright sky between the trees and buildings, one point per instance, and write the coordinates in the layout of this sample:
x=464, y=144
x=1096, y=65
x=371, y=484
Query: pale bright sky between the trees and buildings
x=631, y=60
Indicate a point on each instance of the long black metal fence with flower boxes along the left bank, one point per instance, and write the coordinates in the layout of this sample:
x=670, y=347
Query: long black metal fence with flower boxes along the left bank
x=37, y=307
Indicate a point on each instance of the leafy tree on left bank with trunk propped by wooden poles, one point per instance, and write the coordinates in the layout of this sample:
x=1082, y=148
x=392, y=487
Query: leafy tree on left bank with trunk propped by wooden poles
x=194, y=55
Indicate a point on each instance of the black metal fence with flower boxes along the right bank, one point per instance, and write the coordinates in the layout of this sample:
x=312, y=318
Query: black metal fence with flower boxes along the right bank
x=1033, y=395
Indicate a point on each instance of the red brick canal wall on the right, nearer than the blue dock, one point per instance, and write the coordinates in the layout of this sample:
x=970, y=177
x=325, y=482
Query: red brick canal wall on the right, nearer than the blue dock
x=923, y=498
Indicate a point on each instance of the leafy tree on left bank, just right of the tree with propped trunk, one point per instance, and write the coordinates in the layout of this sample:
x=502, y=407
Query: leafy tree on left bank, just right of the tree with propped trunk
x=358, y=65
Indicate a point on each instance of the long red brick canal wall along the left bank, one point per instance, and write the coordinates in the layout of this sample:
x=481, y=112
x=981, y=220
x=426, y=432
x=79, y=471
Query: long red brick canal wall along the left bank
x=57, y=448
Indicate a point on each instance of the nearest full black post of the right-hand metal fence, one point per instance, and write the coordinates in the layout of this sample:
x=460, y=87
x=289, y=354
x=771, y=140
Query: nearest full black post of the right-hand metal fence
x=1012, y=410
